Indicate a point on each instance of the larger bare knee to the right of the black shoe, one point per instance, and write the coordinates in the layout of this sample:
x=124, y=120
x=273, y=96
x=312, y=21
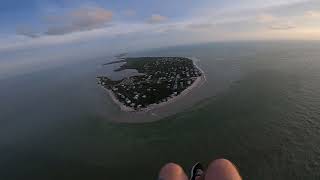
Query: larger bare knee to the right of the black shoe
x=222, y=169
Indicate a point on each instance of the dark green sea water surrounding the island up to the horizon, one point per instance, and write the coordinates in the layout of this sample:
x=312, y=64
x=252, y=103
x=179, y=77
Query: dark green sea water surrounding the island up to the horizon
x=260, y=108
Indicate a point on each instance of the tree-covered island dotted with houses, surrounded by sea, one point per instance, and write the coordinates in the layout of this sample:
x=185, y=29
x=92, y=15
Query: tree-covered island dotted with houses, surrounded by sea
x=160, y=80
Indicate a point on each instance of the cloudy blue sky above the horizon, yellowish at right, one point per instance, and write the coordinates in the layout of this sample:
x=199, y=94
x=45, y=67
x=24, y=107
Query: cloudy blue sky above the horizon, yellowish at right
x=36, y=33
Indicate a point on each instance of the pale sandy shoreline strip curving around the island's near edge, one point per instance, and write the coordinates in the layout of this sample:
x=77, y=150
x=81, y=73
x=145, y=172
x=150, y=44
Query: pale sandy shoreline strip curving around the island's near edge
x=197, y=83
